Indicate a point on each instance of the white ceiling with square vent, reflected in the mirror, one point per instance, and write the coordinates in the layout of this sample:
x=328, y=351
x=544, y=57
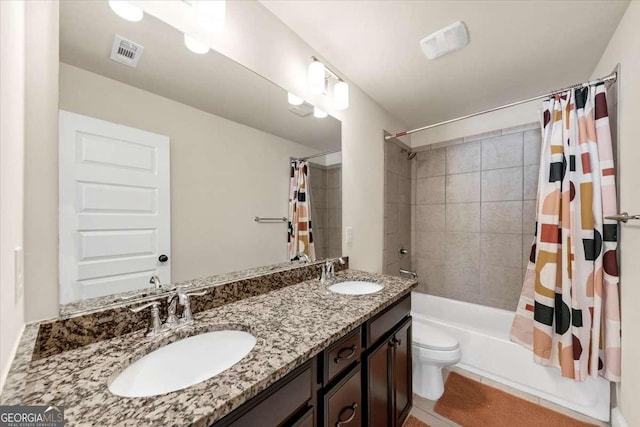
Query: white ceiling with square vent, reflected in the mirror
x=211, y=82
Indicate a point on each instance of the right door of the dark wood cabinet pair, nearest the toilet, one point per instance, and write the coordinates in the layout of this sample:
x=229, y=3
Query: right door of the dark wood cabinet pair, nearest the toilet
x=402, y=373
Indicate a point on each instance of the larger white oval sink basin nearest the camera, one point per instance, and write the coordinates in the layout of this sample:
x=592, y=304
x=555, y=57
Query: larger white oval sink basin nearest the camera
x=183, y=363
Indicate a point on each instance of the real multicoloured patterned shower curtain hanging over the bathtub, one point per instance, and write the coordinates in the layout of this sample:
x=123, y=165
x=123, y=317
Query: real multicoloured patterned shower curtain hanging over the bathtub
x=568, y=313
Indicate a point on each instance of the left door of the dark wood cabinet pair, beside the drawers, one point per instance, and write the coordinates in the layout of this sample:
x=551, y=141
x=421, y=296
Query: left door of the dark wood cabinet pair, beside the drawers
x=378, y=386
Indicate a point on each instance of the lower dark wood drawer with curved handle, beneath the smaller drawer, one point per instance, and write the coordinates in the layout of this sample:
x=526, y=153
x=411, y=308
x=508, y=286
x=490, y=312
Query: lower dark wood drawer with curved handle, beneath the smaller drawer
x=342, y=404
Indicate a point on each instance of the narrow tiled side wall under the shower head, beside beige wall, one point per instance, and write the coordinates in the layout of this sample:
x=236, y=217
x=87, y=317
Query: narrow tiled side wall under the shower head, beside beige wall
x=397, y=209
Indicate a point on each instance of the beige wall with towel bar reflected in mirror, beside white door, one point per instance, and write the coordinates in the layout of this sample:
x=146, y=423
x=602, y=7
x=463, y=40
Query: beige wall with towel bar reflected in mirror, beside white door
x=222, y=174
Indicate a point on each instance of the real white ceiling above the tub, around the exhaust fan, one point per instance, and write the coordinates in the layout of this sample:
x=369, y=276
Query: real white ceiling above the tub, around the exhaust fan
x=518, y=49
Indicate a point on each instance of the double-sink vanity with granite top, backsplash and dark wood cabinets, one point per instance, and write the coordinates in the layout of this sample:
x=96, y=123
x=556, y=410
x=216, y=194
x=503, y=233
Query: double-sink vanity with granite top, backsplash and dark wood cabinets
x=320, y=357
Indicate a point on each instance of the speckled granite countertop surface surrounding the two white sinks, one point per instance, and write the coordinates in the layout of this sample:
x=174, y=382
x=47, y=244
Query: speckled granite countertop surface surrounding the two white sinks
x=291, y=325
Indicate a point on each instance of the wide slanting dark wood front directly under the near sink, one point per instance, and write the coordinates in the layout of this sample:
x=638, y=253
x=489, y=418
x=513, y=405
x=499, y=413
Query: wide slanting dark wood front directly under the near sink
x=278, y=403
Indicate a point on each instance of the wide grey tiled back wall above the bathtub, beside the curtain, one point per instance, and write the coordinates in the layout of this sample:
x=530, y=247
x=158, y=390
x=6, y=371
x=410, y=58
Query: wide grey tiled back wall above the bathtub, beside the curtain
x=473, y=202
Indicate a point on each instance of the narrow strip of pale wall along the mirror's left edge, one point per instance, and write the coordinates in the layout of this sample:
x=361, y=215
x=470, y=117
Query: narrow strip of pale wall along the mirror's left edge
x=41, y=169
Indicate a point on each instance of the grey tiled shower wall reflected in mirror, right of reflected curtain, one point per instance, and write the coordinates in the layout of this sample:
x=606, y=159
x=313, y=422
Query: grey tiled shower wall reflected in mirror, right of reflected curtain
x=326, y=209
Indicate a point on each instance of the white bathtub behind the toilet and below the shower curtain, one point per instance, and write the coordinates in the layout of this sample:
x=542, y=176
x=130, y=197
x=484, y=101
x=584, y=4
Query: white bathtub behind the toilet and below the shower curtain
x=483, y=334
